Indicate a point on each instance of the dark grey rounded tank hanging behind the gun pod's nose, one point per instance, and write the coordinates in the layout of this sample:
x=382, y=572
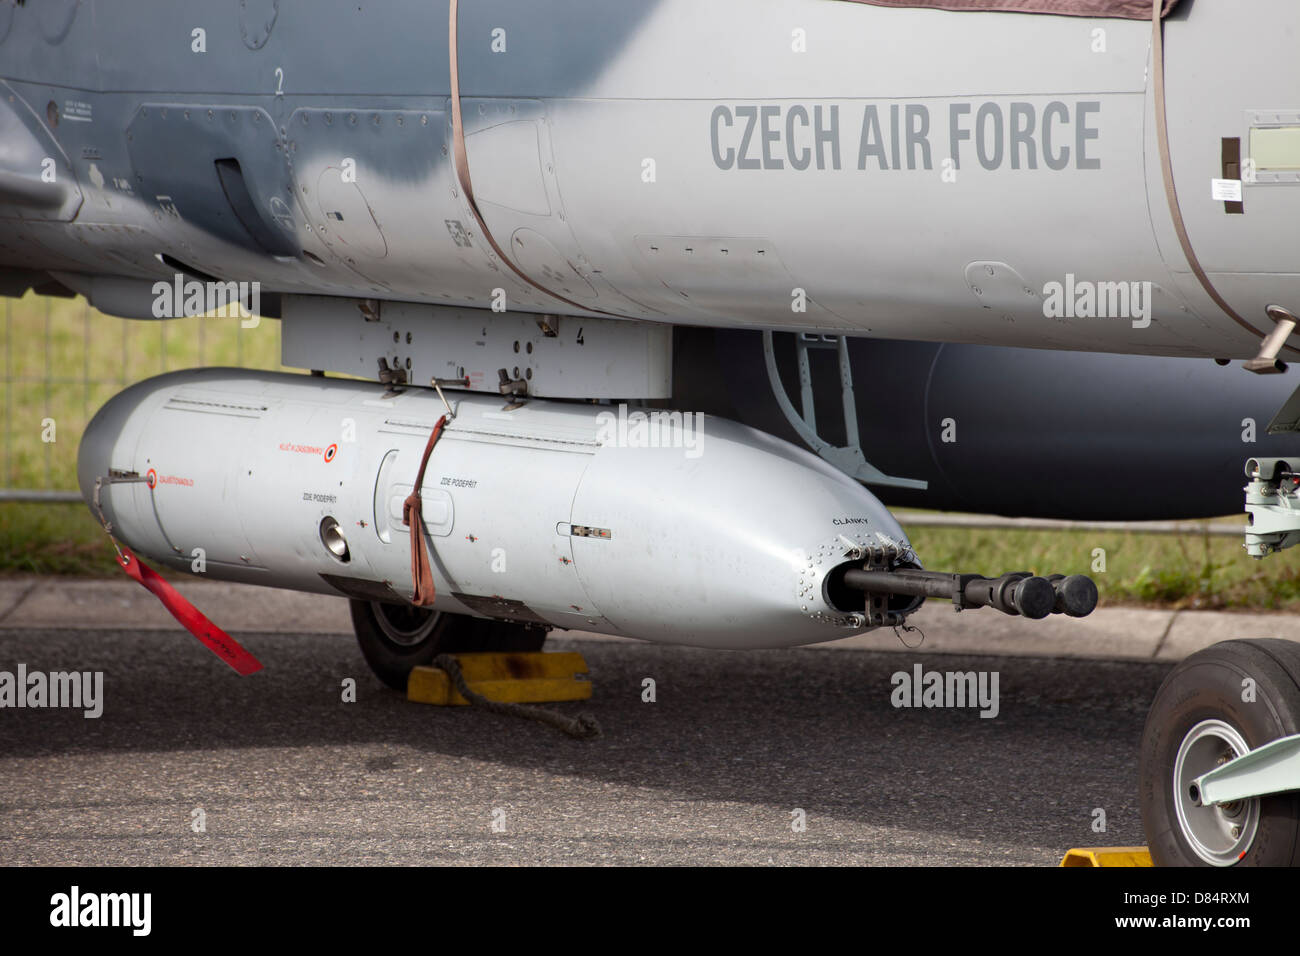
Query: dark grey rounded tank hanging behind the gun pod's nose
x=1038, y=434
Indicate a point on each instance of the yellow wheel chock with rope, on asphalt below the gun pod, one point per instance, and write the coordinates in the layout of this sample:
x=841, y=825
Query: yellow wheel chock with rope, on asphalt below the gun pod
x=532, y=678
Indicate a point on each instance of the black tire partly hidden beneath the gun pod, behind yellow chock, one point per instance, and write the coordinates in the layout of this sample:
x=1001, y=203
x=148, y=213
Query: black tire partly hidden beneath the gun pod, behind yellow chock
x=395, y=639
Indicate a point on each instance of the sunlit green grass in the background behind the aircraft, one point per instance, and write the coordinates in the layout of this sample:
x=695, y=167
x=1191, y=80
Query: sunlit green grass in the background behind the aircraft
x=63, y=360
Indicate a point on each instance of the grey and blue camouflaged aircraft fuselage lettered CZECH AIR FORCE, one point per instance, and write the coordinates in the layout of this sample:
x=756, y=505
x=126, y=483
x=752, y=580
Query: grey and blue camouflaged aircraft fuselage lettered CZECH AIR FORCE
x=863, y=161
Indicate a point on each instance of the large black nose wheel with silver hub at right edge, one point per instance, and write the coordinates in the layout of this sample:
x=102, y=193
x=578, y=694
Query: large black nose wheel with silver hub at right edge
x=1199, y=721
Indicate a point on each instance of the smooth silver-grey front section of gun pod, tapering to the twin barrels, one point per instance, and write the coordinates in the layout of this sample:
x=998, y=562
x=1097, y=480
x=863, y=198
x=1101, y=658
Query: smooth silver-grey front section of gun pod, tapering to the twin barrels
x=721, y=540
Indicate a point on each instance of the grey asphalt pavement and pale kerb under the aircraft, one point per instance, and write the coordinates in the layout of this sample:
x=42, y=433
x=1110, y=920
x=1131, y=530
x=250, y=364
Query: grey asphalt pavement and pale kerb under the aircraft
x=744, y=758
